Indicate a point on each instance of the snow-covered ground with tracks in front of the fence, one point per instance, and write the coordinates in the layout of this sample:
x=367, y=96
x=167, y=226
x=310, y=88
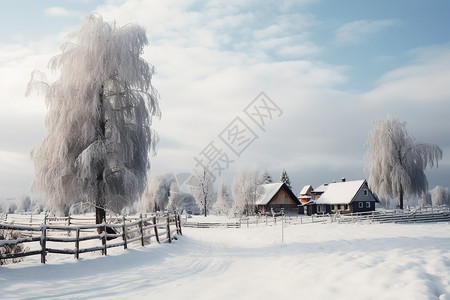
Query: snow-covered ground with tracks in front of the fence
x=316, y=261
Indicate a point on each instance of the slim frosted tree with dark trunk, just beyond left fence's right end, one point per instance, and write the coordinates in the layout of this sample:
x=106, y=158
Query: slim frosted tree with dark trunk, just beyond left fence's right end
x=202, y=188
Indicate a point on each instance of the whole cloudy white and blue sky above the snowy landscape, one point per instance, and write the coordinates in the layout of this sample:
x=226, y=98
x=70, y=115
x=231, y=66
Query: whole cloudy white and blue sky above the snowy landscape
x=331, y=67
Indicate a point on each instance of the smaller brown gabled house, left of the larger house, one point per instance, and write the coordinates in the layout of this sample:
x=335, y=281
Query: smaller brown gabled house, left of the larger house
x=274, y=196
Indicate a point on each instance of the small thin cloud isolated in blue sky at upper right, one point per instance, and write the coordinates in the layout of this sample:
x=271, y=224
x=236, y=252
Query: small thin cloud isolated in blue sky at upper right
x=356, y=31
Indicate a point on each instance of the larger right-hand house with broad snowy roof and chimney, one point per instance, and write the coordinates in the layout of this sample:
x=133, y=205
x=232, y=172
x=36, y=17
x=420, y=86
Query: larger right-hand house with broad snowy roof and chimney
x=344, y=197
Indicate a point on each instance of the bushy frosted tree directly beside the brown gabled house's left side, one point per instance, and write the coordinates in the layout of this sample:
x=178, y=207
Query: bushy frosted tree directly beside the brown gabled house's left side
x=245, y=192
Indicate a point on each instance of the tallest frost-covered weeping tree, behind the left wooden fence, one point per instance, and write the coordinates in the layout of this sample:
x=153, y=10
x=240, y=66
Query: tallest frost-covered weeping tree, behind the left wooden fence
x=98, y=124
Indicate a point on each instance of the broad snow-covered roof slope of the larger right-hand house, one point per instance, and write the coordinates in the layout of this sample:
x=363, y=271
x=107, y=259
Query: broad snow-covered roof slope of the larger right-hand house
x=340, y=192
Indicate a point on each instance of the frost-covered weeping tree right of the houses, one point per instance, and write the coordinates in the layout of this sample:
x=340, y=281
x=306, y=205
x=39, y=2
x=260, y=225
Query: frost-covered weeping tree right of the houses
x=396, y=162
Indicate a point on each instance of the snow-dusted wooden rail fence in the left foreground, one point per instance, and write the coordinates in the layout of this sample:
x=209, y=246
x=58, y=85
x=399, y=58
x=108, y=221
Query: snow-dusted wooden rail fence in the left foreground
x=162, y=229
